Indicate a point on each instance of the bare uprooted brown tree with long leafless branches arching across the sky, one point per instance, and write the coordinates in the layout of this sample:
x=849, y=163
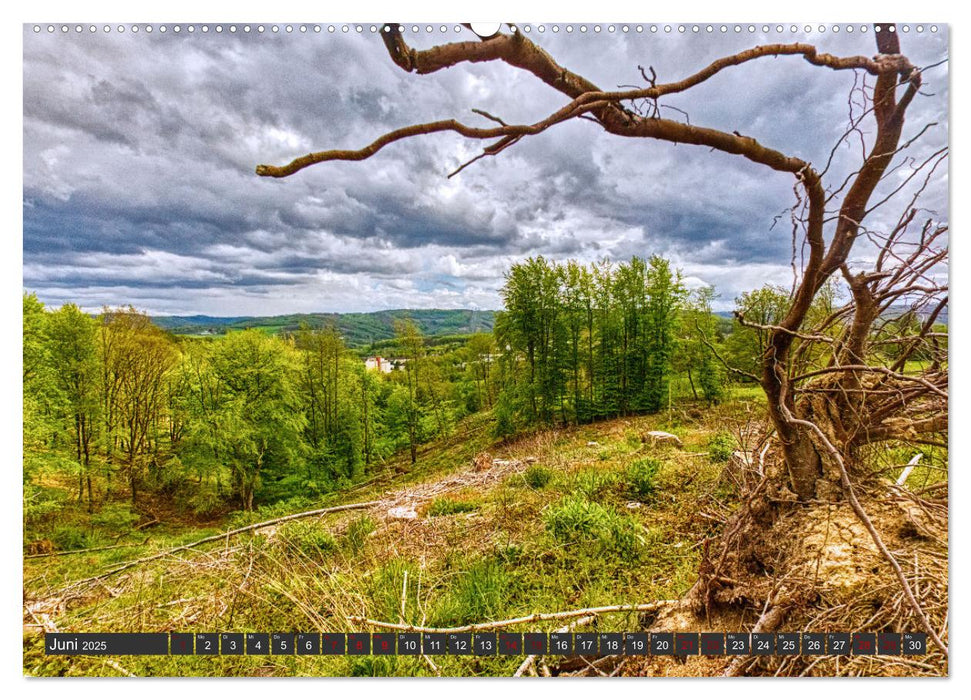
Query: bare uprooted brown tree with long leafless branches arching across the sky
x=874, y=370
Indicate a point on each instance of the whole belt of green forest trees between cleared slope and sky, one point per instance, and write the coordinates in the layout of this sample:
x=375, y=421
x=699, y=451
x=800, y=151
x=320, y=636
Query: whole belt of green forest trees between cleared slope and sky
x=127, y=411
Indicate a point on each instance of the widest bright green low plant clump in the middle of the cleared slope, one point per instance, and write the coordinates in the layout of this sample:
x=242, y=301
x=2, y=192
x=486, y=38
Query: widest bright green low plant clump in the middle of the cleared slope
x=578, y=521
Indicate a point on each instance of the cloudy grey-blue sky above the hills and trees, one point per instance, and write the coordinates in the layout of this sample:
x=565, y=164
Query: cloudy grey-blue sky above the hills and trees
x=140, y=149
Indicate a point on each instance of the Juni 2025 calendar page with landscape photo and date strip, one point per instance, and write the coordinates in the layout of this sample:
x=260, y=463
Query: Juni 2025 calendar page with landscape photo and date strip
x=485, y=350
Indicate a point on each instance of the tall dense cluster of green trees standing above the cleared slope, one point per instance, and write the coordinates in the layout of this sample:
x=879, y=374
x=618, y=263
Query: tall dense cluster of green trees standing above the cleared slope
x=587, y=342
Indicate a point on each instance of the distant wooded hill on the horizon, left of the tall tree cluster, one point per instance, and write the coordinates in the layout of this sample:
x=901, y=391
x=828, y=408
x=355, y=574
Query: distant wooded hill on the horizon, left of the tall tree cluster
x=359, y=329
